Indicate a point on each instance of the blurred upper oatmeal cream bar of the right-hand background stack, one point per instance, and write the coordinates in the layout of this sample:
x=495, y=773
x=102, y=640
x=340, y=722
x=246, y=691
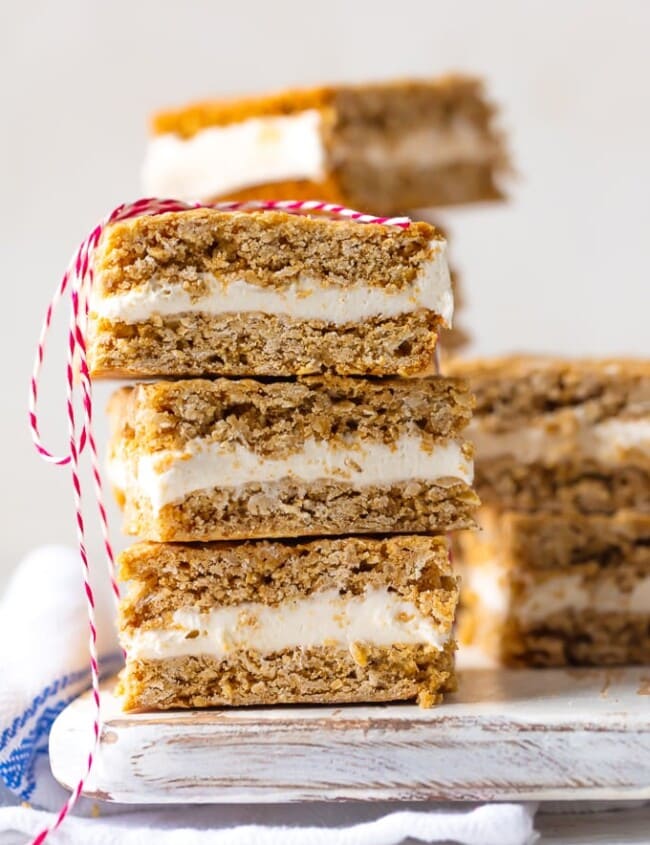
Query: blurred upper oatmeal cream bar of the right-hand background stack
x=553, y=434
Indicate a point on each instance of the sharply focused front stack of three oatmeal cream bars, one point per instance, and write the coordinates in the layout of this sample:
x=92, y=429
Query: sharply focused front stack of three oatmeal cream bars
x=292, y=464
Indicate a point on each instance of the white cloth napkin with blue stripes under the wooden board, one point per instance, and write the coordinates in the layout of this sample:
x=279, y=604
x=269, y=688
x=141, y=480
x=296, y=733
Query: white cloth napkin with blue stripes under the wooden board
x=43, y=665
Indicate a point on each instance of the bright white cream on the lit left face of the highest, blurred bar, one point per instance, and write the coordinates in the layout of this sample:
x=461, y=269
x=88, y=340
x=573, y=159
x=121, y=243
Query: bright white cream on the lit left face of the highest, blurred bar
x=223, y=159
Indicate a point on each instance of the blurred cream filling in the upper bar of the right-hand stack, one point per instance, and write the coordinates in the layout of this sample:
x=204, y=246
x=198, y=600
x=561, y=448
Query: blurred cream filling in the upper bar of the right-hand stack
x=564, y=437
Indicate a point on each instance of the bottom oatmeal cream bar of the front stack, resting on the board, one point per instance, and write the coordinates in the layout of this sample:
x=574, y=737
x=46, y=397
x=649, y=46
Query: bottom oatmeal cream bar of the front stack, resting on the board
x=347, y=619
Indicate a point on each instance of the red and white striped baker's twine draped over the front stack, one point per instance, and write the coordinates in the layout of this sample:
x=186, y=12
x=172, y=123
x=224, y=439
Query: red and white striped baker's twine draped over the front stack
x=77, y=281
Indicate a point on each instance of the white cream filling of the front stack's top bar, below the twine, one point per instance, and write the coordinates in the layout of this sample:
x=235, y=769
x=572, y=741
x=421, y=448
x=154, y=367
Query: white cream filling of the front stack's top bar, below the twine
x=305, y=298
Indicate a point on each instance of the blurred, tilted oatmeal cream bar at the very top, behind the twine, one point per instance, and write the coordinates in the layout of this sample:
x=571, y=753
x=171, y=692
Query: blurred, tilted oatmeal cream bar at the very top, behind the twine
x=382, y=147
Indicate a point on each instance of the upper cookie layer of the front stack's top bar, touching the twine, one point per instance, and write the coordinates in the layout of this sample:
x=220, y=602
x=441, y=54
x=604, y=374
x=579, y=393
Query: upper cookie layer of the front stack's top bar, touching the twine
x=268, y=248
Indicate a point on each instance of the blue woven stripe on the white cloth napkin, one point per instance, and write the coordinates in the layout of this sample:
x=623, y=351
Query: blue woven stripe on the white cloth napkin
x=17, y=766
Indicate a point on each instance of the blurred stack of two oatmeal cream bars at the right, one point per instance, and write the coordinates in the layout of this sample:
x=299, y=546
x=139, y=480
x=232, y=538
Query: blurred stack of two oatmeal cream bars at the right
x=560, y=573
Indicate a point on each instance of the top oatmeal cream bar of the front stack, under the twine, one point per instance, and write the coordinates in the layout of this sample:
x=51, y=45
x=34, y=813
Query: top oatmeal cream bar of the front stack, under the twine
x=203, y=292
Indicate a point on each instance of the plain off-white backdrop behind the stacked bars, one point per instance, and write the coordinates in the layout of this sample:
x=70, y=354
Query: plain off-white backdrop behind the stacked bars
x=562, y=267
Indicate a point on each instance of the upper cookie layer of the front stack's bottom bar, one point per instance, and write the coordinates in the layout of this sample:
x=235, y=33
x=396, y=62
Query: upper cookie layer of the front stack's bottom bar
x=166, y=577
